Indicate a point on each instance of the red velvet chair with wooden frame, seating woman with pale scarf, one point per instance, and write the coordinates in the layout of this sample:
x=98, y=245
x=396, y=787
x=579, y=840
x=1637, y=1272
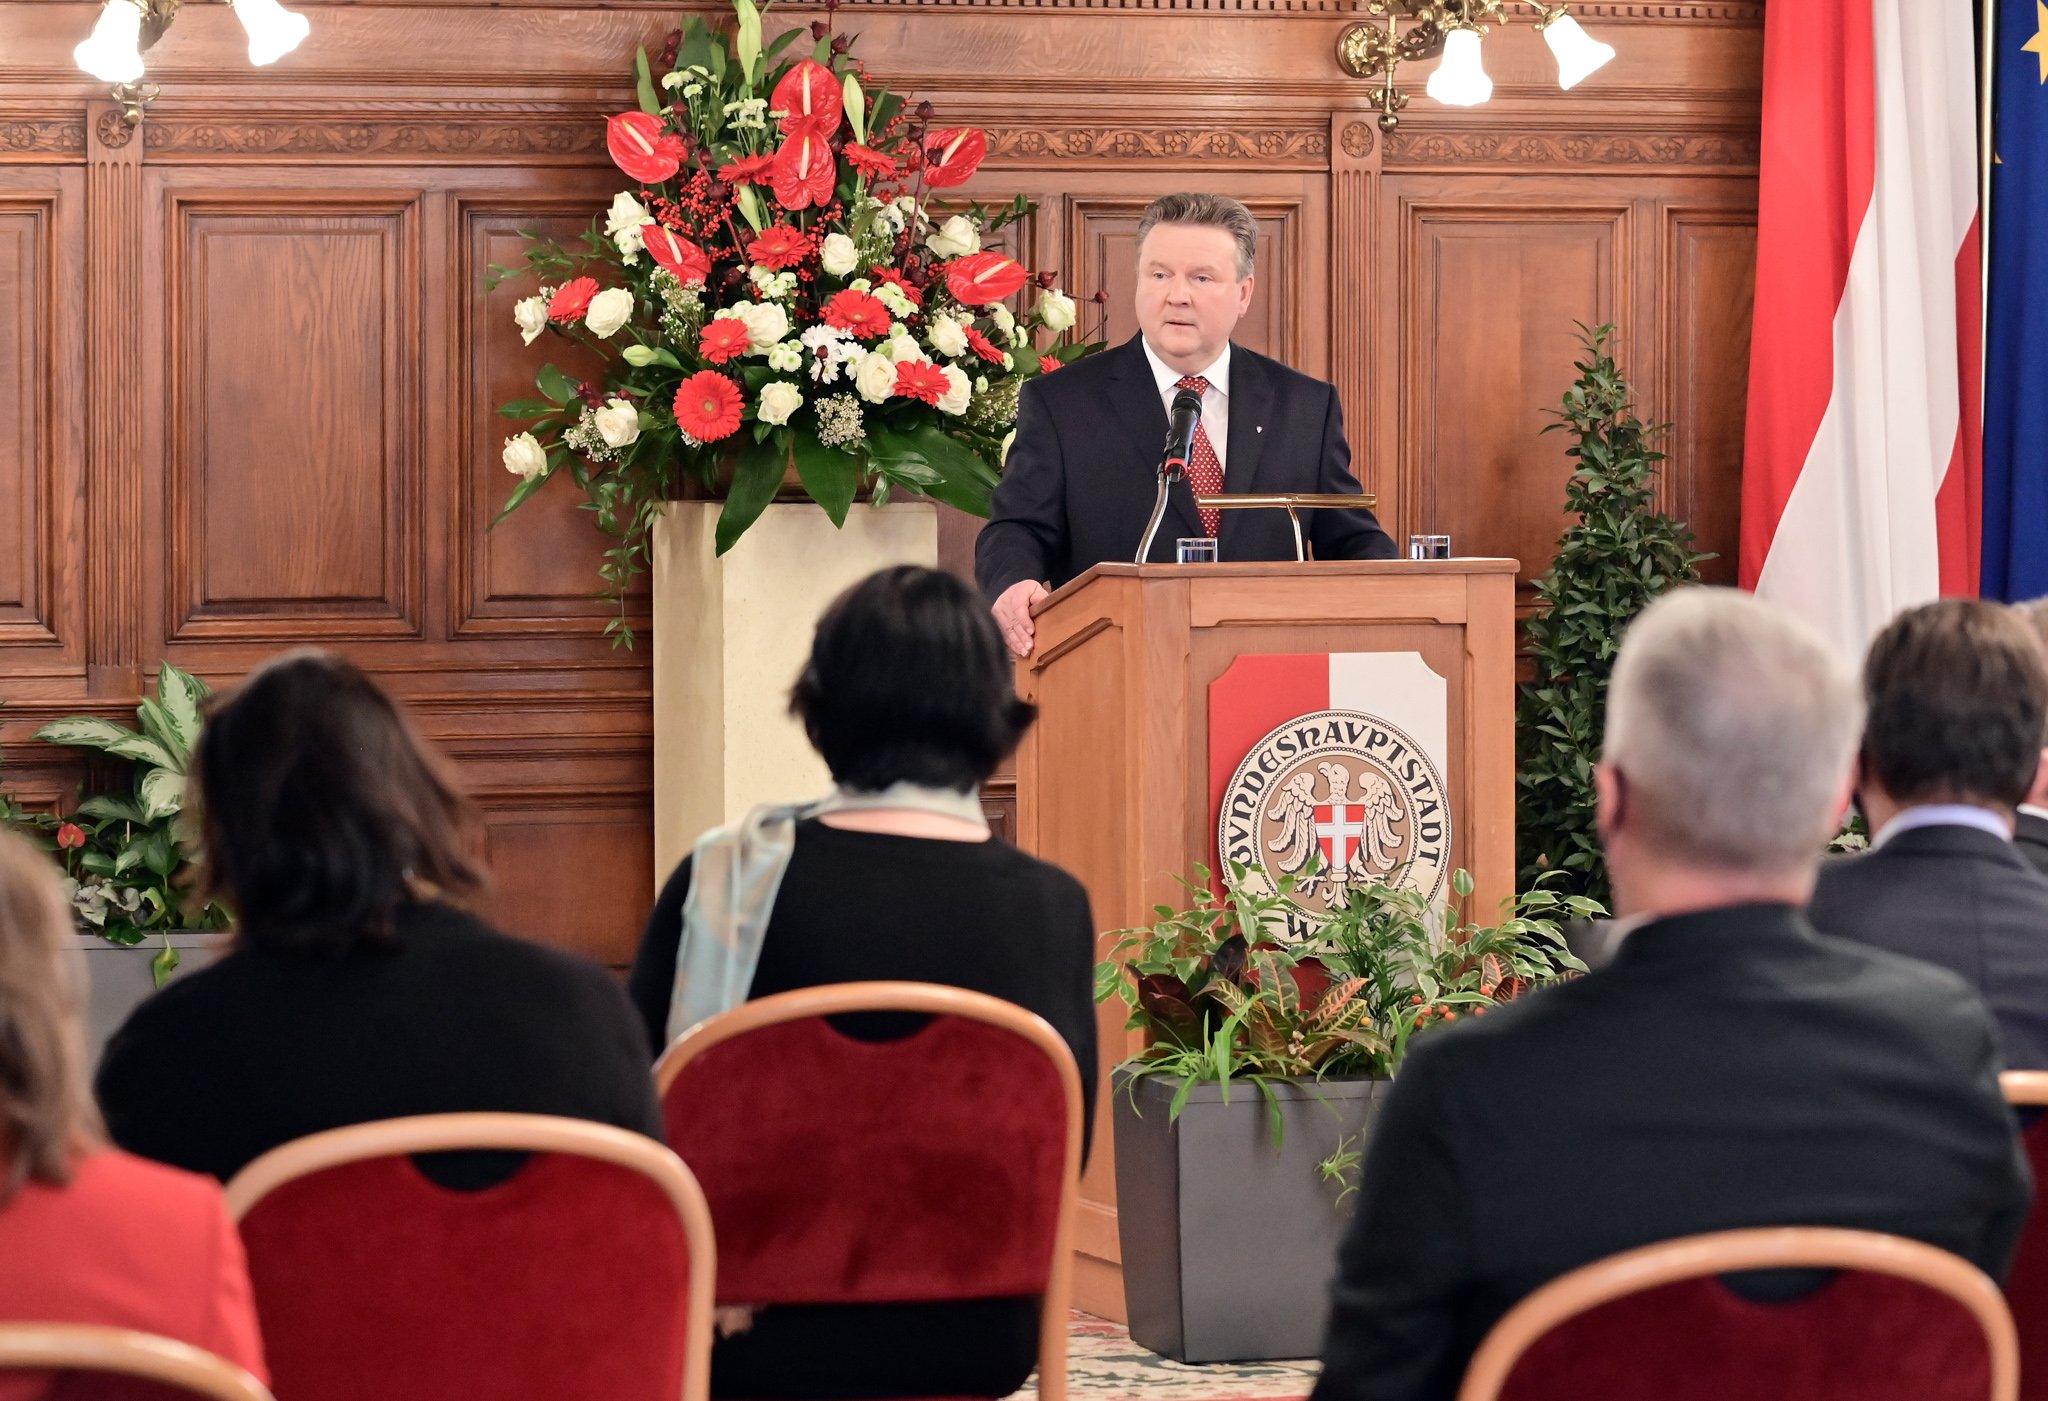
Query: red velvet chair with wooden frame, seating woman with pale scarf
x=839, y=1171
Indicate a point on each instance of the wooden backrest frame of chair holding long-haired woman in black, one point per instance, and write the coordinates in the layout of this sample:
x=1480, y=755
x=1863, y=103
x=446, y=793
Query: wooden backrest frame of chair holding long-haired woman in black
x=525, y=1134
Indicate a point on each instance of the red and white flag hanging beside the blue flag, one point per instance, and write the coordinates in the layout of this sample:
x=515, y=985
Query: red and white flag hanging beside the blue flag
x=1863, y=460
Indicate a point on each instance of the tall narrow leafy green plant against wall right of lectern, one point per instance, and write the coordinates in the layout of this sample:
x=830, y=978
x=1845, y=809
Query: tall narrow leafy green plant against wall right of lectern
x=1611, y=564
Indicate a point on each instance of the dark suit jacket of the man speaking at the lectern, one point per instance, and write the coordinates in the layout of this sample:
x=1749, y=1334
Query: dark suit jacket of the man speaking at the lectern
x=1084, y=470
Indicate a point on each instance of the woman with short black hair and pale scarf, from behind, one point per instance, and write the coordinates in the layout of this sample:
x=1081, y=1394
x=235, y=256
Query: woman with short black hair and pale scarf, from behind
x=910, y=699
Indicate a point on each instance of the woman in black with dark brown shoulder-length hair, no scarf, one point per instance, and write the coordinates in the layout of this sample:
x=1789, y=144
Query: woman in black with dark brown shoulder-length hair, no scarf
x=357, y=986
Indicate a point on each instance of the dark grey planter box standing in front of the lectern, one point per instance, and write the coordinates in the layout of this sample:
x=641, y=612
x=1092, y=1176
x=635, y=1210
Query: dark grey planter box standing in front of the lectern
x=1230, y=1246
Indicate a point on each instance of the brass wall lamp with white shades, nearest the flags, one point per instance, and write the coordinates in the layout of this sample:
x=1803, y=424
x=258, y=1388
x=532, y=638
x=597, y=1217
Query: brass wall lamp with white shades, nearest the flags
x=1453, y=30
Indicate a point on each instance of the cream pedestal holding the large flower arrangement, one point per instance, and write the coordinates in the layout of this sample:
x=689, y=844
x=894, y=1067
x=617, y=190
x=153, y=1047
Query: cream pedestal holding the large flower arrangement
x=730, y=636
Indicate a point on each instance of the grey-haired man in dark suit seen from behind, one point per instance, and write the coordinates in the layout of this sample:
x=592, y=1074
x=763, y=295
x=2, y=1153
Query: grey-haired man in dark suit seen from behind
x=1727, y=1068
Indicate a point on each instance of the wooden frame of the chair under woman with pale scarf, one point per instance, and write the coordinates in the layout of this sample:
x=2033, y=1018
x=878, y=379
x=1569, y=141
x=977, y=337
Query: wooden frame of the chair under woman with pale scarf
x=937, y=1001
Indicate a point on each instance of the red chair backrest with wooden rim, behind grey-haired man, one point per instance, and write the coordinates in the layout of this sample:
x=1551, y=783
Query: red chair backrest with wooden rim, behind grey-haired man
x=1902, y=1322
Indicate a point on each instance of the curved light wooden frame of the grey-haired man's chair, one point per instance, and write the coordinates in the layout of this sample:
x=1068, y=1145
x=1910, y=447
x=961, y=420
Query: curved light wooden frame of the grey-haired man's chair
x=1721, y=1253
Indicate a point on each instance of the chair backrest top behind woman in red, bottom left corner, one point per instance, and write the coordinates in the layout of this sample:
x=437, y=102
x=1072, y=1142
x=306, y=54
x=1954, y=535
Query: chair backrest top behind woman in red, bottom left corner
x=93, y=1357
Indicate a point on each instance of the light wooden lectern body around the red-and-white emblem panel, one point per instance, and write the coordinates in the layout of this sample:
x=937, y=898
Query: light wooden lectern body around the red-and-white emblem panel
x=1113, y=781
